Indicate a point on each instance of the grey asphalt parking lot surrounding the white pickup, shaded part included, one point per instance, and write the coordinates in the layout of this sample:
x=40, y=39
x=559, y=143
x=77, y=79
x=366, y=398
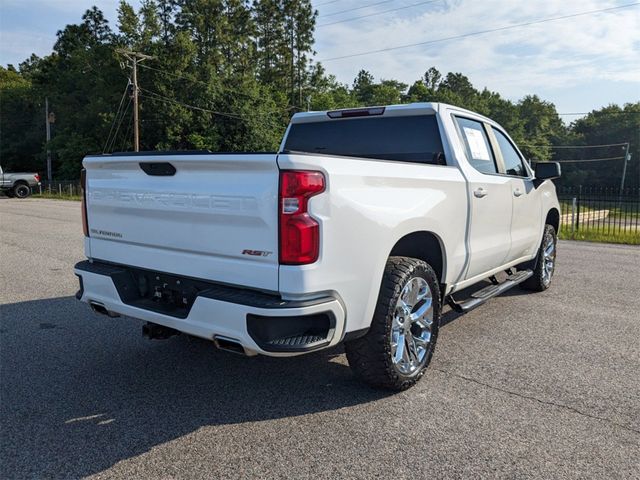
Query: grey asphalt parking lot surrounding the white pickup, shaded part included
x=527, y=386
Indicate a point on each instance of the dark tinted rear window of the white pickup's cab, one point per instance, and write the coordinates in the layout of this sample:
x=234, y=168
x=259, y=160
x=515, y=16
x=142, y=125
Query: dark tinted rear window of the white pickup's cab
x=408, y=139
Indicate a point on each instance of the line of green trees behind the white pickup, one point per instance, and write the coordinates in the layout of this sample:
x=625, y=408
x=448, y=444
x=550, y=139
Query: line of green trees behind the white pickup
x=226, y=75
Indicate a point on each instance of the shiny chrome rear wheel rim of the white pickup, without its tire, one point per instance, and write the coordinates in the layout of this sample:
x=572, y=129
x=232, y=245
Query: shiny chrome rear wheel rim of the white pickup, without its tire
x=412, y=327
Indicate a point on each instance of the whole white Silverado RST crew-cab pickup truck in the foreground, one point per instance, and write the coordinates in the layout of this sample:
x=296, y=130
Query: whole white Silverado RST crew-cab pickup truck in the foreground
x=357, y=230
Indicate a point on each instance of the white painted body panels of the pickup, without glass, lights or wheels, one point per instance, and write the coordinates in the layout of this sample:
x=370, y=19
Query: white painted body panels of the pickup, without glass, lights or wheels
x=198, y=222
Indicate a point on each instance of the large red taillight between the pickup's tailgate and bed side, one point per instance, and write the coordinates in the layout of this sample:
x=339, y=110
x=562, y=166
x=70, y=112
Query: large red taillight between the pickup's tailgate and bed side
x=299, y=232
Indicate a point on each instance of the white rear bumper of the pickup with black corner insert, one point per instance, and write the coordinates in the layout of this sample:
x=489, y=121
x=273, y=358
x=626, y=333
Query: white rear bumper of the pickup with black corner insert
x=253, y=319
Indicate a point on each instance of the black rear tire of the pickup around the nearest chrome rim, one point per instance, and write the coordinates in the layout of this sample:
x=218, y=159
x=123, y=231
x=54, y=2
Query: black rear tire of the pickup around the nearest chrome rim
x=370, y=356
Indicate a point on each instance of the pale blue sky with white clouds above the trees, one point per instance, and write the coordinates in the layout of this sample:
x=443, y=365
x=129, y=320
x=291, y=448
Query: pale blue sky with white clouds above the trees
x=579, y=63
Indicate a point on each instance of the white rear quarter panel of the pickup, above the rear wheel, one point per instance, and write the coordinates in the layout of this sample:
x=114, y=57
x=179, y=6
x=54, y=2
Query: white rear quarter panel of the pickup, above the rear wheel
x=368, y=205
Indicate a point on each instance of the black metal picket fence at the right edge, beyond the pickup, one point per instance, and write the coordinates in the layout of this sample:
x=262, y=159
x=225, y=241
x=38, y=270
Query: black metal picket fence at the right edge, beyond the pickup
x=600, y=210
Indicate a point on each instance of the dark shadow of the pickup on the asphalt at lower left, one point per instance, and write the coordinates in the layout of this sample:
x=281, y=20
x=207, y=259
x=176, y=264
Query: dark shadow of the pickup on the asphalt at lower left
x=81, y=392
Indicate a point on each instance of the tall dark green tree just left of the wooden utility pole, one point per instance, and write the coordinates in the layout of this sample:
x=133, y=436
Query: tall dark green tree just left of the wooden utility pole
x=80, y=80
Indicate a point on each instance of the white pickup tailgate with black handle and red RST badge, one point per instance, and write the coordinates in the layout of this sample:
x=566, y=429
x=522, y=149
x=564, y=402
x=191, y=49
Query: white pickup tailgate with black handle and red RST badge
x=215, y=218
